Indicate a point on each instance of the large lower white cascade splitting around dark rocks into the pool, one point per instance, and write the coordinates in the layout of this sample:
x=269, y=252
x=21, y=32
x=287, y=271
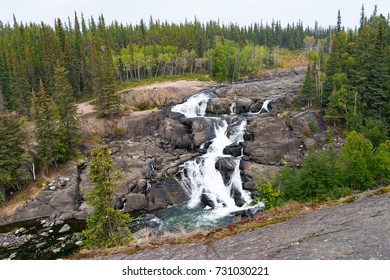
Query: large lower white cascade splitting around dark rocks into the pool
x=201, y=176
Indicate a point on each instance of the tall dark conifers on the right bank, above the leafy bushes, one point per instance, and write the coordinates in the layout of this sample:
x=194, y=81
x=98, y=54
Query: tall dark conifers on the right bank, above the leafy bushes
x=353, y=82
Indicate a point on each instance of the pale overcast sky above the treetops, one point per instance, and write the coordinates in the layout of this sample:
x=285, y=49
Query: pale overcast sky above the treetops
x=243, y=12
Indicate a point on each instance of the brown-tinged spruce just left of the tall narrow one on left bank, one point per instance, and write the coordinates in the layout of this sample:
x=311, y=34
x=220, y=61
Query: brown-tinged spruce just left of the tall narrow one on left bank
x=50, y=135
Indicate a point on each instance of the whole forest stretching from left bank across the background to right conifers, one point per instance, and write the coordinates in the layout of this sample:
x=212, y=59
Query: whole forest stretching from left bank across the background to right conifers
x=46, y=69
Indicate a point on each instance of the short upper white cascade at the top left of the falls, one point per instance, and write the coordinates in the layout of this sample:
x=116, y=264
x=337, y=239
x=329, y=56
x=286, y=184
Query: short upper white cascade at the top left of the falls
x=195, y=106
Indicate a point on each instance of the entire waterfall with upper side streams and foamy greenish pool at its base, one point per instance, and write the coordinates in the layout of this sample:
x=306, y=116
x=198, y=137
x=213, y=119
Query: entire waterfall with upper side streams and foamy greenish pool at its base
x=213, y=179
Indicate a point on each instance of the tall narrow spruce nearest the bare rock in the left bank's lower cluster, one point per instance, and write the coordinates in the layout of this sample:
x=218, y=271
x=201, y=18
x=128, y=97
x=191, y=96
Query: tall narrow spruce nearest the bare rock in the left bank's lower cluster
x=63, y=97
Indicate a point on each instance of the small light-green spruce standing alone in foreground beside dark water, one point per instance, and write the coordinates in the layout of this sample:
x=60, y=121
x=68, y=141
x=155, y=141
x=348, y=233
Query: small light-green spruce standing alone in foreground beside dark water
x=105, y=226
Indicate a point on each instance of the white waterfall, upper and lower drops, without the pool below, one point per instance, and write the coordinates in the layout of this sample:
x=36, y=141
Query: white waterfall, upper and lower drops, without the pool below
x=219, y=190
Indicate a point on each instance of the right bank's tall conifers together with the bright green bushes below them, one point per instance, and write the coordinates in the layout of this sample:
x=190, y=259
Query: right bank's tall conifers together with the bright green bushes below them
x=352, y=86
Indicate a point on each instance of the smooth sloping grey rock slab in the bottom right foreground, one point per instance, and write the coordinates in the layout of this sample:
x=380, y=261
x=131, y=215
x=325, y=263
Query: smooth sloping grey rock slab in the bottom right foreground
x=358, y=230
